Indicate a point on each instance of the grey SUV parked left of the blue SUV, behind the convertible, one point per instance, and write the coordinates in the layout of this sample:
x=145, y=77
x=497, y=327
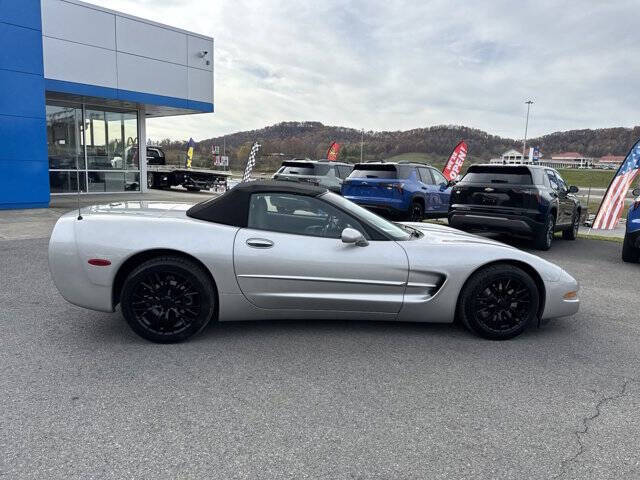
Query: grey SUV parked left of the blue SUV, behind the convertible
x=315, y=172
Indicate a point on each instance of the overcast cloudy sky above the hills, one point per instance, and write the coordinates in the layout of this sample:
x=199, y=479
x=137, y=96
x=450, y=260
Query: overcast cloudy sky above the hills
x=394, y=65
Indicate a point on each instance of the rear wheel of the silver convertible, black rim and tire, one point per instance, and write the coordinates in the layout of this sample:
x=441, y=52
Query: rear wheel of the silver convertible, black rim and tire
x=168, y=299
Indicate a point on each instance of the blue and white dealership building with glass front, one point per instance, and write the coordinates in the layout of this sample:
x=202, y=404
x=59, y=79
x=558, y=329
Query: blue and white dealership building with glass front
x=77, y=83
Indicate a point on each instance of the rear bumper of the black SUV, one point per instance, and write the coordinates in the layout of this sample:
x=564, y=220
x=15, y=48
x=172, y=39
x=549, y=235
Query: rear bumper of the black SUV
x=470, y=220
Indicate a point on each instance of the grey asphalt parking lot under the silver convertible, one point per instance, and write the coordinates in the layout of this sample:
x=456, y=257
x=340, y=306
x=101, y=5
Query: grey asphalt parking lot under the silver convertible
x=83, y=397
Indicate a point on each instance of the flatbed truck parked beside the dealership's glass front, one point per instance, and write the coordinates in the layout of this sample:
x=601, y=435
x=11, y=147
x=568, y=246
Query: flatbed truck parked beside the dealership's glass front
x=193, y=179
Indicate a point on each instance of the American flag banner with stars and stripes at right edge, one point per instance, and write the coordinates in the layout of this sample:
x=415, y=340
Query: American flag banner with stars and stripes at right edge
x=613, y=203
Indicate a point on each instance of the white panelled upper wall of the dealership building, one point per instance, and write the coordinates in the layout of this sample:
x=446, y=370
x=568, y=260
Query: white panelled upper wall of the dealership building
x=87, y=44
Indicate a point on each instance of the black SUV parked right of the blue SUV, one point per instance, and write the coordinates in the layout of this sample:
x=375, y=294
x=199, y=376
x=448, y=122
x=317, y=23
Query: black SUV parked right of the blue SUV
x=526, y=200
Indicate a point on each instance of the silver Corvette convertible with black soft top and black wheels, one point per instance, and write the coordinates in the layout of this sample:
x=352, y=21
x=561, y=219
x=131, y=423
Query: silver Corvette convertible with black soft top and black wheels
x=272, y=250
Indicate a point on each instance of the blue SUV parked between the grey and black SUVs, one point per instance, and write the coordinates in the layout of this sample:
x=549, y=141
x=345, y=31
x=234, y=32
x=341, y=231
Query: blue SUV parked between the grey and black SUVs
x=409, y=191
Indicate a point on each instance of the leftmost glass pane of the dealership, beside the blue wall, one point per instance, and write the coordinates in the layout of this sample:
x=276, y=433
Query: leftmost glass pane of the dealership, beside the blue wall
x=64, y=137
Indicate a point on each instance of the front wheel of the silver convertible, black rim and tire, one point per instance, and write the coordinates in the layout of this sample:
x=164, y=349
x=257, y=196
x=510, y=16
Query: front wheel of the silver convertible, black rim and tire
x=484, y=306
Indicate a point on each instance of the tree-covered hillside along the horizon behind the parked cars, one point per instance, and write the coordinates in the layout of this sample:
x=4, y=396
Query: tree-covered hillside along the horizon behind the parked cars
x=311, y=139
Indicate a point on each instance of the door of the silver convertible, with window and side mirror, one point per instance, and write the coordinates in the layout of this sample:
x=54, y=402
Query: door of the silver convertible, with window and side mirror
x=291, y=257
